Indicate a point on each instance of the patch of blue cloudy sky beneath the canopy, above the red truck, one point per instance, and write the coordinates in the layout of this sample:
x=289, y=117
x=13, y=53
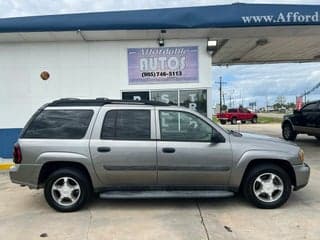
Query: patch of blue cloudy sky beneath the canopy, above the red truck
x=265, y=82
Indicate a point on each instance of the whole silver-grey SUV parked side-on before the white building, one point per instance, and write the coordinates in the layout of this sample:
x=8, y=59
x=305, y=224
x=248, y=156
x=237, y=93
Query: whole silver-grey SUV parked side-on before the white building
x=76, y=147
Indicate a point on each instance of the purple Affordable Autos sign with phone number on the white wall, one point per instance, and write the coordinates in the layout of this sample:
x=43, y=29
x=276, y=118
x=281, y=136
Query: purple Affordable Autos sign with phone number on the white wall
x=163, y=65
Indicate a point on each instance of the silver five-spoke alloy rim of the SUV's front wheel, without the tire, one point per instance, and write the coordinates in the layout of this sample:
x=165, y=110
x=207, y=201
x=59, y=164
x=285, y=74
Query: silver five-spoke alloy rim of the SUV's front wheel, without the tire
x=268, y=187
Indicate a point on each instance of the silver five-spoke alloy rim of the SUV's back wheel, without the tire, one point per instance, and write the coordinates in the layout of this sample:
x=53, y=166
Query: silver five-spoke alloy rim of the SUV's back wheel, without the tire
x=65, y=191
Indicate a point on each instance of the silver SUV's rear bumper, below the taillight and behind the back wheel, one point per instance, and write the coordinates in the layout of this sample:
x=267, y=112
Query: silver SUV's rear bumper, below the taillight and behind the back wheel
x=25, y=174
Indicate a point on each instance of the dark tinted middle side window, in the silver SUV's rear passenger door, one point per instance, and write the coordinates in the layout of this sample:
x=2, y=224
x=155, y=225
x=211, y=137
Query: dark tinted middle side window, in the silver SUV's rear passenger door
x=126, y=125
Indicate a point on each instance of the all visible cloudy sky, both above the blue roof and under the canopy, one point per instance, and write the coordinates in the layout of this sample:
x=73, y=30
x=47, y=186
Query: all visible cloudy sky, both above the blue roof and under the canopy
x=244, y=83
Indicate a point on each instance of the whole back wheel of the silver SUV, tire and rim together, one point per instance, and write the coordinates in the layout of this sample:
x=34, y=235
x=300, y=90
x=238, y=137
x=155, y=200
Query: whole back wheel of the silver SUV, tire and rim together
x=67, y=190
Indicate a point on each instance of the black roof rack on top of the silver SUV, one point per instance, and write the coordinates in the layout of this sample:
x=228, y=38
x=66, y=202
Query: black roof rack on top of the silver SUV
x=100, y=102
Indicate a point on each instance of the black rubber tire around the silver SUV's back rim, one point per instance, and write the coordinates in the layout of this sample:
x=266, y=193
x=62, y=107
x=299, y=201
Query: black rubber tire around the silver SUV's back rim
x=84, y=193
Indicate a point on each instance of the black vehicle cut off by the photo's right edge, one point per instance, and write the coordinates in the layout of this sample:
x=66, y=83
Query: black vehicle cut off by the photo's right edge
x=306, y=121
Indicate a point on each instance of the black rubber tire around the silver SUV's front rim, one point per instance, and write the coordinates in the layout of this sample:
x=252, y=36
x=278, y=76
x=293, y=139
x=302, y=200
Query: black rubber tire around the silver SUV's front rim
x=250, y=183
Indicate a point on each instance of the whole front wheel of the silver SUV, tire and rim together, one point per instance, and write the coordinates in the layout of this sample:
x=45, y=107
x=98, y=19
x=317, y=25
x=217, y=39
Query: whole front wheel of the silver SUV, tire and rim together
x=267, y=186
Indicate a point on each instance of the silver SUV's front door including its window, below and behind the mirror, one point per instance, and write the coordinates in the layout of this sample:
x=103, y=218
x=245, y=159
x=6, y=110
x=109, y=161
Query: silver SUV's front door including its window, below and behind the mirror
x=186, y=155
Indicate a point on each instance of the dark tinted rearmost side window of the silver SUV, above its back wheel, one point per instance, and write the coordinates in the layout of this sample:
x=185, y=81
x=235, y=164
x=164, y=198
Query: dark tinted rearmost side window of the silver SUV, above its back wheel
x=59, y=124
